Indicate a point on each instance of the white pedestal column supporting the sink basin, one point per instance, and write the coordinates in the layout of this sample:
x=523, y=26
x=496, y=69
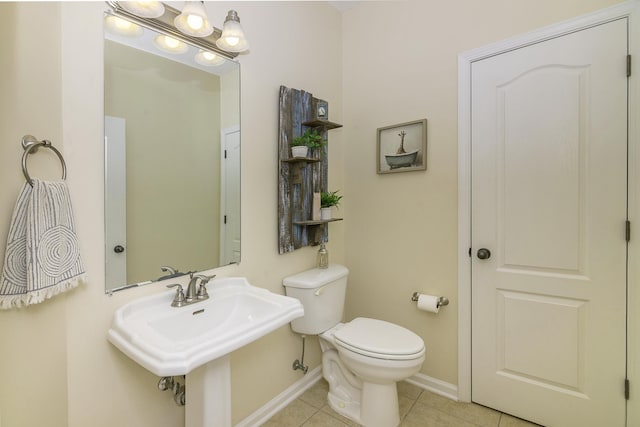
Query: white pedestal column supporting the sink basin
x=208, y=394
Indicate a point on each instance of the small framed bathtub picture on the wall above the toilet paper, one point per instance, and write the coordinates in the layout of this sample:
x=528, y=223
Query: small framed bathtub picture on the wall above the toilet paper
x=402, y=147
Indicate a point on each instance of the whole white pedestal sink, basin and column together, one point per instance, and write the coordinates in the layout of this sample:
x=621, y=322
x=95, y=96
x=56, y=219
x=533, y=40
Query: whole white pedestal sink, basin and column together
x=196, y=340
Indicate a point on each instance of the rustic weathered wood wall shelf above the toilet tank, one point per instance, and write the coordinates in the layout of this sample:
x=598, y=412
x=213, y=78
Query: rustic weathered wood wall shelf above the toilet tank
x=300, y=177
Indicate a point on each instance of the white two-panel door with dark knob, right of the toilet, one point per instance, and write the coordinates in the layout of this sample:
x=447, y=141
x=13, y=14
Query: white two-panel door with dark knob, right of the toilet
x=549, y=194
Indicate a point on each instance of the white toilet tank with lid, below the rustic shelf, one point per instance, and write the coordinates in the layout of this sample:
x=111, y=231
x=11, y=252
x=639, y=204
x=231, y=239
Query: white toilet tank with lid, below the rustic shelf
x=321, y=291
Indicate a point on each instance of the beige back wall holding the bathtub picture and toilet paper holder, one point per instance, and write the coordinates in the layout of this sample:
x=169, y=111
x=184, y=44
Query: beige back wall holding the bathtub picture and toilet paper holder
x=400, y=65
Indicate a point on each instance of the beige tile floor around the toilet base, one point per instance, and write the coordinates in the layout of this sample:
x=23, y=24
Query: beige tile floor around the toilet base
x=418, y=408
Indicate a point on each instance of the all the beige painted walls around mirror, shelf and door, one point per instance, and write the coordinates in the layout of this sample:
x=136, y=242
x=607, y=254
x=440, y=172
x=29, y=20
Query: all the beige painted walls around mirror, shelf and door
x=399, y=64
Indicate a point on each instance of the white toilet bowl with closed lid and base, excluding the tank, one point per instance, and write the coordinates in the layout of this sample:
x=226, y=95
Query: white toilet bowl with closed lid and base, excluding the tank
x=371, y=356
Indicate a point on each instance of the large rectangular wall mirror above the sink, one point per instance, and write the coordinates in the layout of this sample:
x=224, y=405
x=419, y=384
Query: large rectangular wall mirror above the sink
x=172, y=158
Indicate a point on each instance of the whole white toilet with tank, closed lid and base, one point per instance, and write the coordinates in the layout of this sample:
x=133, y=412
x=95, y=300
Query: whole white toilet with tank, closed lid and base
x=361, y=360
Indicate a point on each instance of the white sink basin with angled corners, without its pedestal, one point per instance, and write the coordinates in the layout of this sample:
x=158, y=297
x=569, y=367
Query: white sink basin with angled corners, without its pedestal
x=170, y=341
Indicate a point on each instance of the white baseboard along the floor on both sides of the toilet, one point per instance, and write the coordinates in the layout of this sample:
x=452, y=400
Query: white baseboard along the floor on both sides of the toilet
x=279, y=402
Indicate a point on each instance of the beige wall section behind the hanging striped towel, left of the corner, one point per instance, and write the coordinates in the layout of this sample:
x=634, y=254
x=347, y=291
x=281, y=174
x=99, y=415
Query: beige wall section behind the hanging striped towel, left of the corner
x=33, y=363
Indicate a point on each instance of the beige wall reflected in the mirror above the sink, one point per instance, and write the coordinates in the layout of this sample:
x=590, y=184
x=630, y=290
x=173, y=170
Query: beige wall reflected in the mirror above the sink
x=173, y=147
